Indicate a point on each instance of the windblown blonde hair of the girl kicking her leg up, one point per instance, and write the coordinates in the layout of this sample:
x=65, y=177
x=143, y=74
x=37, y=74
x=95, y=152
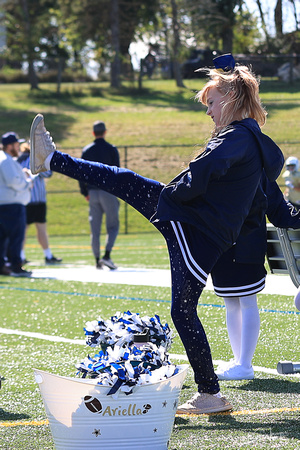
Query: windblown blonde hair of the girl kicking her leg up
x=243, y=101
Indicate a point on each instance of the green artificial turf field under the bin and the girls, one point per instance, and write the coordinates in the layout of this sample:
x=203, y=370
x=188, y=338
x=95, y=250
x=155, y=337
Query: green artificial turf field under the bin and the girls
x=266, y=410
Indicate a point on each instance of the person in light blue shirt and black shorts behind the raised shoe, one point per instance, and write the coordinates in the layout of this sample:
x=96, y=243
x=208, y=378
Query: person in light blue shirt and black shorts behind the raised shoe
x=36, y=209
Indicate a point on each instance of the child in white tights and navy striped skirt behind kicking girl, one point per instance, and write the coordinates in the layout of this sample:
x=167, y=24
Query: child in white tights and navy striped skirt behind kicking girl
x=239, y=275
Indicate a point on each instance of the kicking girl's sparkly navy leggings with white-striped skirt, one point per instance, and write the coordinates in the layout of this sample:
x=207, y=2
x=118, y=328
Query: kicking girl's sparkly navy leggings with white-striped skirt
x=189, y=272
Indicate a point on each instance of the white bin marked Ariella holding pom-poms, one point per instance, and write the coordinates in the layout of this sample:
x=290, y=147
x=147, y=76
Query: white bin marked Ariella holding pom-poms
x=82, y=416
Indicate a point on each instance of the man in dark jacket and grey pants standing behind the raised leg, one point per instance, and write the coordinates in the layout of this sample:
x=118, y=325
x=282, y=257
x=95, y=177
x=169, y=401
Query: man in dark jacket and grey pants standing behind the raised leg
x=100, y=201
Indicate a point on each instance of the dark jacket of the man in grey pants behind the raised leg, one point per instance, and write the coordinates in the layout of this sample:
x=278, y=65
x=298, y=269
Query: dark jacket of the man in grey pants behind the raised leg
x=99, y=151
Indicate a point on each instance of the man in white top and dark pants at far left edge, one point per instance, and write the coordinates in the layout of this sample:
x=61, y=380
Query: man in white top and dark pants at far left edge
x=15, y=186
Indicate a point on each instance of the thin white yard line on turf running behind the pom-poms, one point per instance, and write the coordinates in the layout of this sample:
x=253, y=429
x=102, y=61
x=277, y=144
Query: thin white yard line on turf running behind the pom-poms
x=52, y=338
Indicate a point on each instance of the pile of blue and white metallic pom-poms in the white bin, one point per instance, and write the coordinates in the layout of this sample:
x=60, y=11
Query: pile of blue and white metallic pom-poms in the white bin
x=121, y=363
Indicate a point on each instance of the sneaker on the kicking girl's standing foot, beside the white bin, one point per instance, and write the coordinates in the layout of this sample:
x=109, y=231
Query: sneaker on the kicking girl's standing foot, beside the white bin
x=202, y=403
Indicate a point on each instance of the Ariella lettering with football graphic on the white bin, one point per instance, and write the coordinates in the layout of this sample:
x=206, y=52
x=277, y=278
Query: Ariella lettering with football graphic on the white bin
x=94, y=405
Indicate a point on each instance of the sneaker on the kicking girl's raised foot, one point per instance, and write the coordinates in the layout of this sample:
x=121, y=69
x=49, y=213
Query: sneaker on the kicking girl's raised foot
x=41, y=145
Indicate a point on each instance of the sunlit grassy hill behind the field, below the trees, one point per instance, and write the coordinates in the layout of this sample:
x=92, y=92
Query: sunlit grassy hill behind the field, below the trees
x=147, y=125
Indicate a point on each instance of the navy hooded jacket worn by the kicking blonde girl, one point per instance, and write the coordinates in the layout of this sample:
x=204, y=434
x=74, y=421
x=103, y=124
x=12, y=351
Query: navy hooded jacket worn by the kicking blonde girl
x=220, y=190
